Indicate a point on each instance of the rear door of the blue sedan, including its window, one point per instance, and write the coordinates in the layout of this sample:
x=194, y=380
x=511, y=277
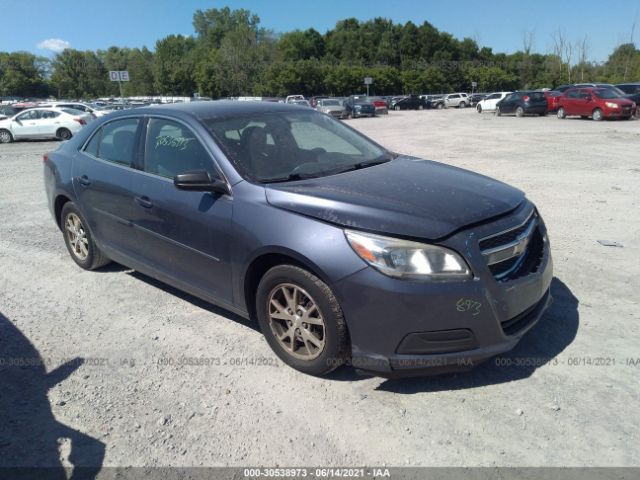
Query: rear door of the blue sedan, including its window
x=102, y=180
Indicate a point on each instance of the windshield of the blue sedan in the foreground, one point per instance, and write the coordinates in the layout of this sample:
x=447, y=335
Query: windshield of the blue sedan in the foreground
x=283, y=146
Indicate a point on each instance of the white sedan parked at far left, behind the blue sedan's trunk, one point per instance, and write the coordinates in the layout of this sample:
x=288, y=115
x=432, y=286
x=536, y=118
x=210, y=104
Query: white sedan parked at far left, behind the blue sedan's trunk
x=43, y=122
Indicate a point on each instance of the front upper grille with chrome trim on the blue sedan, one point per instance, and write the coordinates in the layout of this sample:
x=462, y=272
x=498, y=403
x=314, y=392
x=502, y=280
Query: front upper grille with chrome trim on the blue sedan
x=522, y=245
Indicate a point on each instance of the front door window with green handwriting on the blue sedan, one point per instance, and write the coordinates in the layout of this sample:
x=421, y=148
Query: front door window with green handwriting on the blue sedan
x=171, y=148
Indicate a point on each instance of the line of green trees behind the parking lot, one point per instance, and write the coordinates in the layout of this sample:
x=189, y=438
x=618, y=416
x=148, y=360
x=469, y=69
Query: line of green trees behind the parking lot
x=231, y=54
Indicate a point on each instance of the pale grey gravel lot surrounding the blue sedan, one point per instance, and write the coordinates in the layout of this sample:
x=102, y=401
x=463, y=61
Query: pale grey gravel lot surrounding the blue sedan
x=568, y=394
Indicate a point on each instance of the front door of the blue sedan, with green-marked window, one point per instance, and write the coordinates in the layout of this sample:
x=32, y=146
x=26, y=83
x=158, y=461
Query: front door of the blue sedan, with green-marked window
x=183, y=235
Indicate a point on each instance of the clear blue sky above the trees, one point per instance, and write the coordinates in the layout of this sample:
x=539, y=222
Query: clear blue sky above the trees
x=499, y=24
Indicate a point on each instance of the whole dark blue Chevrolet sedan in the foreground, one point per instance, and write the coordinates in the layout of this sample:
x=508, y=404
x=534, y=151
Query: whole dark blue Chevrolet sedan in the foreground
x=343, y=251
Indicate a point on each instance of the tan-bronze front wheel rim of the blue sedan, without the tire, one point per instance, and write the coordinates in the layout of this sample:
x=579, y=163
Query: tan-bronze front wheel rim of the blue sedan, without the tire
x=296, y=321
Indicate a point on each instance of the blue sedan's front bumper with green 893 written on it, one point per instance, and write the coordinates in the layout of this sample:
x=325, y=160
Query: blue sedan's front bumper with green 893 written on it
x=402, y=327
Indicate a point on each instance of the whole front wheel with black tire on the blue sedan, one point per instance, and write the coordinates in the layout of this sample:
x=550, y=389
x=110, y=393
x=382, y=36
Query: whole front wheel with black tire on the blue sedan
x=301, y=320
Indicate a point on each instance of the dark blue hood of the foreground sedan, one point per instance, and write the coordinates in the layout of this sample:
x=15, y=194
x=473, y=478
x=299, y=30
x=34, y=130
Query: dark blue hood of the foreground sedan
x=406, y=197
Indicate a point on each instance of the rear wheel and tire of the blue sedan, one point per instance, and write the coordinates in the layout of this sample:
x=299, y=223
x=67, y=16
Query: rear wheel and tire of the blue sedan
x=79, y=240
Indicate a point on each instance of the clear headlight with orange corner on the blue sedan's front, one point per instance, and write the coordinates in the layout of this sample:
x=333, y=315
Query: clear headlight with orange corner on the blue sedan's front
x=405, y=259
